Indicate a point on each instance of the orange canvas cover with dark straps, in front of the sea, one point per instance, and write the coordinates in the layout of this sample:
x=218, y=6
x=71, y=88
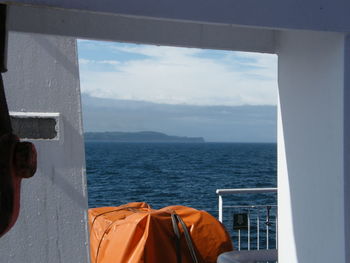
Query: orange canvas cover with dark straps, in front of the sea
x=135, y=233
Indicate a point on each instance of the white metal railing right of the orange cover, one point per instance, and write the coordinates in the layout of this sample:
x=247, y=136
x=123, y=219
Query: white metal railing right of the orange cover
x=257, y=208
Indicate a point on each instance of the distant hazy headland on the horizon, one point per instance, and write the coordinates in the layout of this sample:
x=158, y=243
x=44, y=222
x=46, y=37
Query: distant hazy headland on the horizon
x=144, y=136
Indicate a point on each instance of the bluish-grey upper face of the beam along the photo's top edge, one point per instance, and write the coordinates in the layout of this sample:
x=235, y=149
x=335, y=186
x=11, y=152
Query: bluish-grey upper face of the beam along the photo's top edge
x=311, y=14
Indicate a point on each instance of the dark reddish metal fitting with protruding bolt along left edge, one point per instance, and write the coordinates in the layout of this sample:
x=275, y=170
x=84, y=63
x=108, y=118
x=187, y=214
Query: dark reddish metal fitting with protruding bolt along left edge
x=17, y=159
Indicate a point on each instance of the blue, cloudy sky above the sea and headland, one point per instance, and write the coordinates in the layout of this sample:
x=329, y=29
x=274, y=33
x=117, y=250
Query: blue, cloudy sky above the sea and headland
x=218, y=95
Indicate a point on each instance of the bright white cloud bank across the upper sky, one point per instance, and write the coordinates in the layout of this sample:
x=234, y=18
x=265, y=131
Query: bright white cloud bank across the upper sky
x=184, y=76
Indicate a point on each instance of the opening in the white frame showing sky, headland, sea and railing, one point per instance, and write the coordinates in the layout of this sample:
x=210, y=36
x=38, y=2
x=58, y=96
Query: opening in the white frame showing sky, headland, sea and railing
x=169, y=126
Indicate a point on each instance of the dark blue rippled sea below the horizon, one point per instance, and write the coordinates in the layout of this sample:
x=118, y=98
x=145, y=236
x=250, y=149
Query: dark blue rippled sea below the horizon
x=163, y=174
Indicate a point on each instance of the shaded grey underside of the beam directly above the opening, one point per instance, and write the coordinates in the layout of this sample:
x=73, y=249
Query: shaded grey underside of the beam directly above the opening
x=104, y=26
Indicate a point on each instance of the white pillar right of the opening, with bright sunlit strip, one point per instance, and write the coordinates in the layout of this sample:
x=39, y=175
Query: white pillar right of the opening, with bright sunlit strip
x=310, y=147
